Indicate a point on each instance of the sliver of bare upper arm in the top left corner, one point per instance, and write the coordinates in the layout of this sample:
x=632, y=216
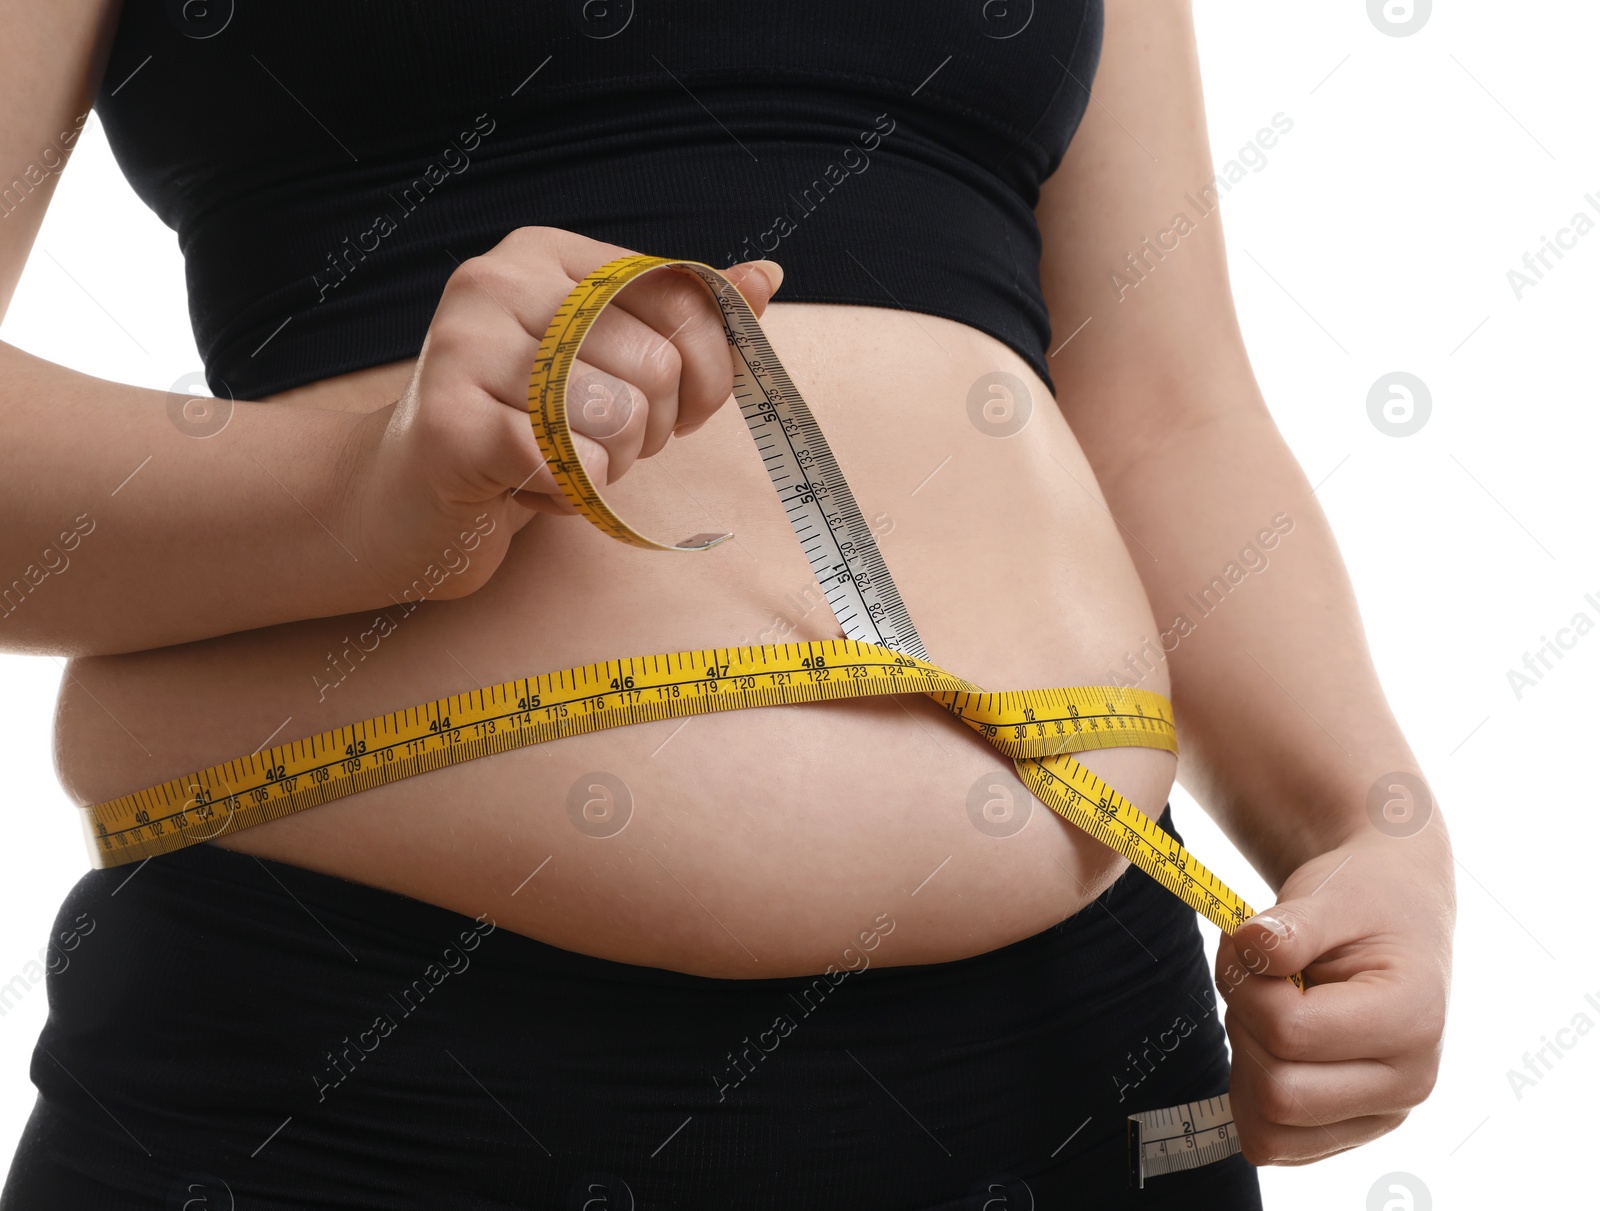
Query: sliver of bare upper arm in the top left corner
x=52, y=60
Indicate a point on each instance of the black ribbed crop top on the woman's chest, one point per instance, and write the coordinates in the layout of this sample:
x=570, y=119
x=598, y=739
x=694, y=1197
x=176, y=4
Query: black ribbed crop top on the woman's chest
x=327, y=164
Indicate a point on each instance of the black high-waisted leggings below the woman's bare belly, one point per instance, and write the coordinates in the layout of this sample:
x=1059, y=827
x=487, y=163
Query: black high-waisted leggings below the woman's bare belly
x=228, y=1033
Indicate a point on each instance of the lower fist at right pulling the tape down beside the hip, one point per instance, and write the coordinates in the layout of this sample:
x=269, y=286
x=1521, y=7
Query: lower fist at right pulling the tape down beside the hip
x=1370, y=927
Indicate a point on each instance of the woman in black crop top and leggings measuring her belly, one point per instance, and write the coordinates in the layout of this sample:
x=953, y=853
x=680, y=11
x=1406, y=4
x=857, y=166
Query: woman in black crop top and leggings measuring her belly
x=478, y=988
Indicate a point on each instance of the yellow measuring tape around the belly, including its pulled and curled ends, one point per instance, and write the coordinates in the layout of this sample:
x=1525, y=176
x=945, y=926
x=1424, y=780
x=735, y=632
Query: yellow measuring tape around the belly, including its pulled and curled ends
x=881, y=655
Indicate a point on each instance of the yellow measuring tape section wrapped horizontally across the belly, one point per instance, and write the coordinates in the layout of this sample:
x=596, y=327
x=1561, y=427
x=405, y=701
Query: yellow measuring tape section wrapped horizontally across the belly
x=303, y=773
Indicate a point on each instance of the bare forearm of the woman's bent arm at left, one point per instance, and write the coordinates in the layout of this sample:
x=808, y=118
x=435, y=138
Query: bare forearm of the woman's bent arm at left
x=119, y=532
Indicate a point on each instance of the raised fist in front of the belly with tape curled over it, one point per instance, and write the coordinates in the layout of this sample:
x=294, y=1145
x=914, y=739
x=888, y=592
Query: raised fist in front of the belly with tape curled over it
x=454, y=465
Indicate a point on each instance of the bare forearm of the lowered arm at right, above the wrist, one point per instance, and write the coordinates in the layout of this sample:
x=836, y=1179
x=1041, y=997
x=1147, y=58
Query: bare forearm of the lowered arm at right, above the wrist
x=1282, y=719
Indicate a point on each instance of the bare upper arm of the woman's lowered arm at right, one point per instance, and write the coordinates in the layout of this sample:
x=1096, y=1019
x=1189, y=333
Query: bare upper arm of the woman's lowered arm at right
x=1134, y=249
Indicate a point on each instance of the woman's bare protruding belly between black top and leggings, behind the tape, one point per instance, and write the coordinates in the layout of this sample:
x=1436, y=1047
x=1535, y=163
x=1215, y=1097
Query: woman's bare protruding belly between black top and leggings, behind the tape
x=753, y=844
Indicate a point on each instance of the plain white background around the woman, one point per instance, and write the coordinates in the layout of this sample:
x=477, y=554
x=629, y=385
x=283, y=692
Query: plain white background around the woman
x=1377, y=238
